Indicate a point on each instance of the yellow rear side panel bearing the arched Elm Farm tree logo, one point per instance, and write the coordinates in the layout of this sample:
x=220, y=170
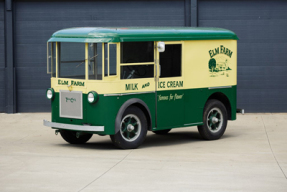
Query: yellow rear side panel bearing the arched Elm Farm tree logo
x=198, y=54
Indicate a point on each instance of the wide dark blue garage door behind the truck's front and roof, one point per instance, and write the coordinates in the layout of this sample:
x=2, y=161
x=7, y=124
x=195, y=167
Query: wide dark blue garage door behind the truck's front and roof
x=37, y=20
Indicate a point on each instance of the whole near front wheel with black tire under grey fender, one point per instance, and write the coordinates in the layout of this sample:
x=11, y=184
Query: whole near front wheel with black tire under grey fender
x=133, y=129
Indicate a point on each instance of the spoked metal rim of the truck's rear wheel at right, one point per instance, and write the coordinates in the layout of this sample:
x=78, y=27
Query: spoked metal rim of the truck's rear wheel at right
x=214, y=120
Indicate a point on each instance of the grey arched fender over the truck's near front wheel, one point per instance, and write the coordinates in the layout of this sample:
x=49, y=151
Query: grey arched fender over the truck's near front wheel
x=133, y=102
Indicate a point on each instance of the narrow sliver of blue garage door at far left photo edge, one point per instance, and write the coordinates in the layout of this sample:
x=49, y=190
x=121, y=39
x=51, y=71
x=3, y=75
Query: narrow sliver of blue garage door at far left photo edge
x=2, y=59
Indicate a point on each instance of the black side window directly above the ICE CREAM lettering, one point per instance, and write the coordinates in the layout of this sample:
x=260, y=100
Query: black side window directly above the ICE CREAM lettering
x=170, y=61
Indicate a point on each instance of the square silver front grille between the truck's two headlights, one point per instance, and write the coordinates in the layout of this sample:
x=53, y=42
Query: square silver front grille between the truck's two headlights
x=71, y=104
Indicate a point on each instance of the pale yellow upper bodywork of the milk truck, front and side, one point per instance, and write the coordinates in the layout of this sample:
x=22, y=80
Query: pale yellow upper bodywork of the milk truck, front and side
x=196, y=71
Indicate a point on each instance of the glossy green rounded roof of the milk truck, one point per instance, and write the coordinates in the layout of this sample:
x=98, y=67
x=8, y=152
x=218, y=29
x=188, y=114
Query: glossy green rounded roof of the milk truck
x=134, y=34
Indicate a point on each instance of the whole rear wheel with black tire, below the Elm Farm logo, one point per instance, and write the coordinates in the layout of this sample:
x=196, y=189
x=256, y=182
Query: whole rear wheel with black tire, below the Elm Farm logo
x=214, y=120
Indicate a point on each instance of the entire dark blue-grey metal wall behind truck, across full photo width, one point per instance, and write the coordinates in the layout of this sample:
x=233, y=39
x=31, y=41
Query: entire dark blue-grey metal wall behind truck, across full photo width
x=260, y=24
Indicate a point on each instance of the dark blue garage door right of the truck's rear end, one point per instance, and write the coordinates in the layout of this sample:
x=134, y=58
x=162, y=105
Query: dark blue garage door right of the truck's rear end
x=262, y=69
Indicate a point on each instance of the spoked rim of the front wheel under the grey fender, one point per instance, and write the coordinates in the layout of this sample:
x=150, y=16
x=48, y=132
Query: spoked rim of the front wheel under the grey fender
x=130, y=127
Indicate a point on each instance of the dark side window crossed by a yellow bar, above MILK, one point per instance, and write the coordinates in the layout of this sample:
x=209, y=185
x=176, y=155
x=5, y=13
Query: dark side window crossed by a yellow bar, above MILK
x=137, y=60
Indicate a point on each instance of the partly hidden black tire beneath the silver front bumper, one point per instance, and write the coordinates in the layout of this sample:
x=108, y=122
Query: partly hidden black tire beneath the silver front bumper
x=70, y=137
